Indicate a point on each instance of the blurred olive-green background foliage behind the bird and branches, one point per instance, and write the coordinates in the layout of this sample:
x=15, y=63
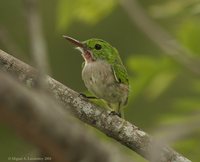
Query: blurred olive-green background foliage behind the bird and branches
x=165, y=94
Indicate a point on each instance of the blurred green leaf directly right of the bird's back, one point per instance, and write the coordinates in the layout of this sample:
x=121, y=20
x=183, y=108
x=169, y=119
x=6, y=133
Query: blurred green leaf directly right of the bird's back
x=151, y=76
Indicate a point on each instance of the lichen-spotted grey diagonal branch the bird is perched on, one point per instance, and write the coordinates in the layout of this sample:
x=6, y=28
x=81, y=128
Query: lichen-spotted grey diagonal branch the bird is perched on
x=113, y=126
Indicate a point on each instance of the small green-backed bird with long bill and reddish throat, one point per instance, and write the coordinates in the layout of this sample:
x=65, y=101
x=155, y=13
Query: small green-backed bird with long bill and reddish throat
x=103, y=73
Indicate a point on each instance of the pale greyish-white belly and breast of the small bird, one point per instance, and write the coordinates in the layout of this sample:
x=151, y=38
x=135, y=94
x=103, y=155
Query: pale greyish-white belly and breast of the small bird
x=99, y=80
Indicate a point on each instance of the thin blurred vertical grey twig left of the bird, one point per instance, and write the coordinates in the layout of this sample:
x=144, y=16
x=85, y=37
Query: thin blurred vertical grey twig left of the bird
x=37, y=40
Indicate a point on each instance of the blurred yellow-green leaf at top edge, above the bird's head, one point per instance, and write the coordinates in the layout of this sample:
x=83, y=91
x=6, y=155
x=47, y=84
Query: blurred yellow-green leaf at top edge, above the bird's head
x=86, y=11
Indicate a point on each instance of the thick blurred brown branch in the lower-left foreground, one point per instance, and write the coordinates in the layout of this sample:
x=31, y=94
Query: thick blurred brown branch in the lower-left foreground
x=38, y=118
